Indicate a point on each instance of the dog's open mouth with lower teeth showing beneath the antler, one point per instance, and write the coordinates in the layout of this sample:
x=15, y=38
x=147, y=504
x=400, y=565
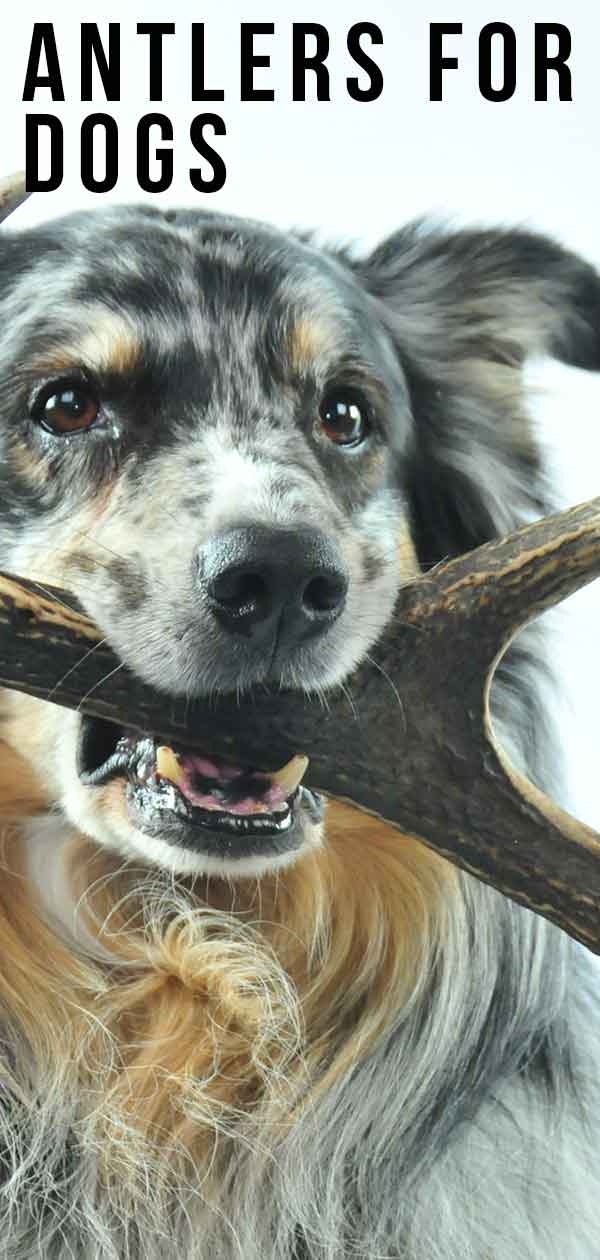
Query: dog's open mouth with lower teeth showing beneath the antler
x=173, y=783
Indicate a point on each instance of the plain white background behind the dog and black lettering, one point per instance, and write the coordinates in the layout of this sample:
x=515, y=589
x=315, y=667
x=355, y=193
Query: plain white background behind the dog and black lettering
x=357, y=171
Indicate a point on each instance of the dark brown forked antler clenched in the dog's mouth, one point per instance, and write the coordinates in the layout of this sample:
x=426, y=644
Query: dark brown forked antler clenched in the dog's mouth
x=415, y=747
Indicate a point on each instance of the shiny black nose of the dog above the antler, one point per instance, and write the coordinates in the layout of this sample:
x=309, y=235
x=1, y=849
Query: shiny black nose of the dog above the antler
x=265, y=583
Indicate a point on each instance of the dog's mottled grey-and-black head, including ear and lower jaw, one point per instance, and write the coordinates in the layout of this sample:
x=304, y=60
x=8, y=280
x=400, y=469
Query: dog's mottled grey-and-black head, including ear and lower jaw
x=235, y=448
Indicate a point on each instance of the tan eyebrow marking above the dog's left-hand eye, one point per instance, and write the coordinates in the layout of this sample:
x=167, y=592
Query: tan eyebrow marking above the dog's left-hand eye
x=109, y=343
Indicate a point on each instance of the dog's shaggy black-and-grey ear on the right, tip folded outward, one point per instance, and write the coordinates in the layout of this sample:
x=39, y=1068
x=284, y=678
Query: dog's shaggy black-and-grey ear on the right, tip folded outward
x=464, y=311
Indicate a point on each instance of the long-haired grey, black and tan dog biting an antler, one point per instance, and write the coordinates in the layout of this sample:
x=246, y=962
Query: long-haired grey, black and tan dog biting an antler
x=238, y=1021
